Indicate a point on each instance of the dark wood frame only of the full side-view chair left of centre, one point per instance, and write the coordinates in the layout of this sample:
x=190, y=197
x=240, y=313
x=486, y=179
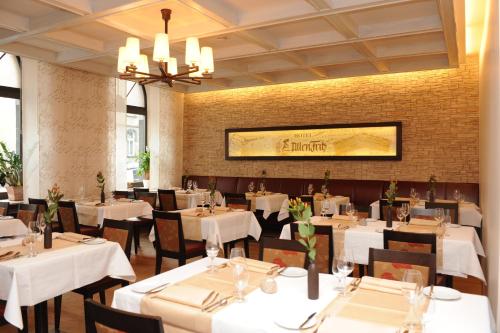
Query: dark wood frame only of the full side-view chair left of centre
x=181, y=256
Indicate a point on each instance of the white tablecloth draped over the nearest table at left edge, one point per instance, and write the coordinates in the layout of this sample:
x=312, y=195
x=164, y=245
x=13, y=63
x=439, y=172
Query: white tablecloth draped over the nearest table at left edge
x=28, y=281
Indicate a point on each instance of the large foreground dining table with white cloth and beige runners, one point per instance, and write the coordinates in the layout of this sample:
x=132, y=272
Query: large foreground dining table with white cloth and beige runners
x=264, y=312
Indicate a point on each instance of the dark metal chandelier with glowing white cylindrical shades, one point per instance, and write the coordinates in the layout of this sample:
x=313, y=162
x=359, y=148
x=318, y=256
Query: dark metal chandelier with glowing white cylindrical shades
x=132, y=65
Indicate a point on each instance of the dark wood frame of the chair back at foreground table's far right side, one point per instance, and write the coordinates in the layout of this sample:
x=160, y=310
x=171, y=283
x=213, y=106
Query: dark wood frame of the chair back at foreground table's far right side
x=412, y=258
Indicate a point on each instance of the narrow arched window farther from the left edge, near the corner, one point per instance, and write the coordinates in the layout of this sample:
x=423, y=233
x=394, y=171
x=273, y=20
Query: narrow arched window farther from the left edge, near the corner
x=136, y=128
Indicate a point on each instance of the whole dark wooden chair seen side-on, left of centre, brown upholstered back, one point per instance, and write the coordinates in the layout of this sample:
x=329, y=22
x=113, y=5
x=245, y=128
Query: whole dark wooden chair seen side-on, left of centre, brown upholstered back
x=170, y=242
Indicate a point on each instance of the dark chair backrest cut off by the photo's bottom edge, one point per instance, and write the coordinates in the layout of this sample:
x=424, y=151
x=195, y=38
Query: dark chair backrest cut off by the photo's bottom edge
x=98, y=316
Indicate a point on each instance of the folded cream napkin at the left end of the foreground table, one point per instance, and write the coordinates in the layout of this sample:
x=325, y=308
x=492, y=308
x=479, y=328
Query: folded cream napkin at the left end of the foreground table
x=188, y=295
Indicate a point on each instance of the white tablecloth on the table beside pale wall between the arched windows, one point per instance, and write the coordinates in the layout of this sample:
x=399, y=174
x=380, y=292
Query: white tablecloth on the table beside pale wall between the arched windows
x=90, y=214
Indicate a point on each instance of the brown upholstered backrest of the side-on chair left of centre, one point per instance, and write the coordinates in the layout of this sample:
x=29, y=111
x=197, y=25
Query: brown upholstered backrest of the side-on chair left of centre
x=169, y=234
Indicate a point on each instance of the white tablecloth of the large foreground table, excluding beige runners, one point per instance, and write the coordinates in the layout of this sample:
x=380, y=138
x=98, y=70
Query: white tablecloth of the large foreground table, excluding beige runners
x=258, y=312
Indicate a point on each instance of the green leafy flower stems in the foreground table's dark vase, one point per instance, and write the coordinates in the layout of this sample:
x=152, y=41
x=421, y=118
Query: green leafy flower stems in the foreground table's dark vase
x=301, y=211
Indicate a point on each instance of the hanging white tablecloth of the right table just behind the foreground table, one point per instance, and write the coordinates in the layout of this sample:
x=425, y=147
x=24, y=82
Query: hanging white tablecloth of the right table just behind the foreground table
x=461, y=247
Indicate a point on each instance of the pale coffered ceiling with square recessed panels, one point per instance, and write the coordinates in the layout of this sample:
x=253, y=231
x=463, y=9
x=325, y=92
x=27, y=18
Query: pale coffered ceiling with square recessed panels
x=255, y=42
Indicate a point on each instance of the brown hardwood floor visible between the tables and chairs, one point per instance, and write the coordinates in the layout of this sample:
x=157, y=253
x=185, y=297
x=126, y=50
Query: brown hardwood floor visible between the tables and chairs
x=72, y=317
